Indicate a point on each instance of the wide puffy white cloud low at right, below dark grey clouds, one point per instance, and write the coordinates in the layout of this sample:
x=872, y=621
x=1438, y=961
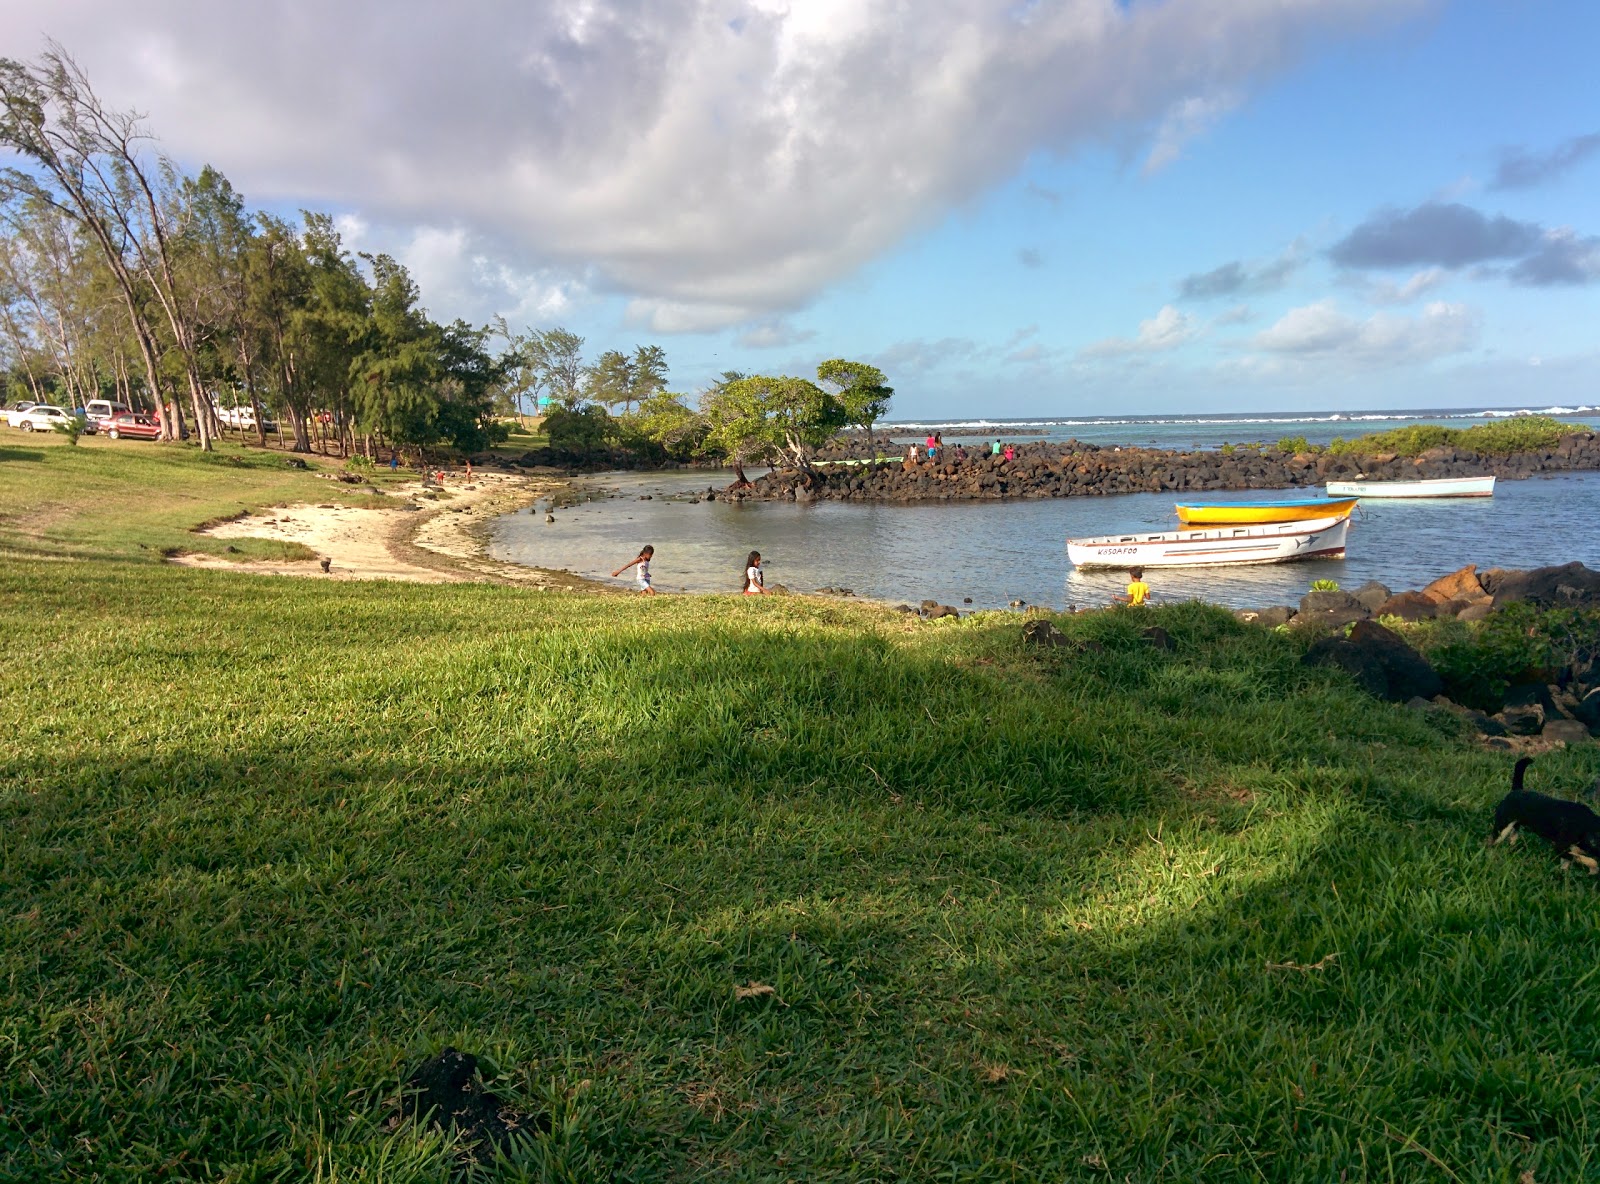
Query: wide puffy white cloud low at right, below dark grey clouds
x=1322, y=330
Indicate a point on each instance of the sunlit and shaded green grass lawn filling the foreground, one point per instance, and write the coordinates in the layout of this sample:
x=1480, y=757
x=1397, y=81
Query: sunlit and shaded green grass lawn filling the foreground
x=1129, y=916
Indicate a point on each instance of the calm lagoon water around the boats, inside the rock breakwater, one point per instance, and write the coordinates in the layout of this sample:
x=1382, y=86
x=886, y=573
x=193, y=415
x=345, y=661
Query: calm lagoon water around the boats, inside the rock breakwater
x=1004, y=551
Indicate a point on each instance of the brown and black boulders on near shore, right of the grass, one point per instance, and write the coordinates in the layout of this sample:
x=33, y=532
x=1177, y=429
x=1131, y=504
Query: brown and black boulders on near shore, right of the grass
x=1554, y=698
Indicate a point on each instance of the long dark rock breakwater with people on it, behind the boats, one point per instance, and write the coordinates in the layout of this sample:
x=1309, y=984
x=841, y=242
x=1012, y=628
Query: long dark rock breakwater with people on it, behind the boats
x=1076, y=470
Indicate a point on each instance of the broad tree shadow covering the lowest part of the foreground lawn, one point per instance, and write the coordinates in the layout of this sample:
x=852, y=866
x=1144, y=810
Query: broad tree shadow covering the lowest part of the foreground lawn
x=1026, y=998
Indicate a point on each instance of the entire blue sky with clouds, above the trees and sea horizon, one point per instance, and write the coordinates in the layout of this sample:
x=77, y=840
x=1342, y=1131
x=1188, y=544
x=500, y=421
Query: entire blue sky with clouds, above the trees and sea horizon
x=1015, y=209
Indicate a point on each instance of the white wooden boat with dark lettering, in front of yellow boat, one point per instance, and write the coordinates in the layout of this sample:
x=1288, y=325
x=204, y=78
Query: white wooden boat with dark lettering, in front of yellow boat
x=1273, y=543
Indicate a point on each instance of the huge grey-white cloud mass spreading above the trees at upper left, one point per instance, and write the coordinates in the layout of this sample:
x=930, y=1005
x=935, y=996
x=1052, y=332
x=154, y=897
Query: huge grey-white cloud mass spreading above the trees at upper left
x=716, y=161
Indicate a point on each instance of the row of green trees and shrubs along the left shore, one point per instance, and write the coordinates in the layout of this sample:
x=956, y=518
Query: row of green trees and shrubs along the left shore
x=122, y=278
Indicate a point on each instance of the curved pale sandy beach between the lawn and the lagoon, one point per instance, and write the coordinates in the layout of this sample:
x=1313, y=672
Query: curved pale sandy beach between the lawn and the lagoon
x=431, y=537
